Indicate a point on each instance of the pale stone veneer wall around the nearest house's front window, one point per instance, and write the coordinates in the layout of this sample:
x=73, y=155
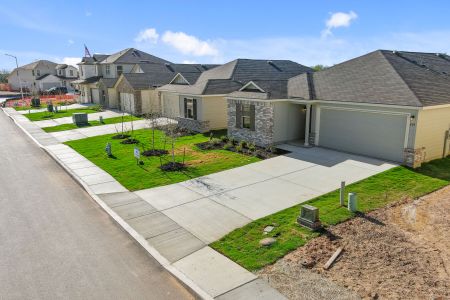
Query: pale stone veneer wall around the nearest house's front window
x=264, y=124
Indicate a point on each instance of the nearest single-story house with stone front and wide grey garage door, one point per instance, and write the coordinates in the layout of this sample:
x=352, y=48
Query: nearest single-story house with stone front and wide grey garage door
x=387, y=104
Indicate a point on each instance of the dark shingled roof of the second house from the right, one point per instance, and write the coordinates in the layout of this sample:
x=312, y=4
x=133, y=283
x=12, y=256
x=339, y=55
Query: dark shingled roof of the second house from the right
x=233, y=75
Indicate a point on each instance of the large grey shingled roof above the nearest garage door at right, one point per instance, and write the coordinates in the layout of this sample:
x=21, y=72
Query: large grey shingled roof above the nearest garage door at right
x=380, y=77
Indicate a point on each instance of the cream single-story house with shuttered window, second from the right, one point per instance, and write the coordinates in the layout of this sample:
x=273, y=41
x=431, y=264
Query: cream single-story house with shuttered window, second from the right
x=203, y=106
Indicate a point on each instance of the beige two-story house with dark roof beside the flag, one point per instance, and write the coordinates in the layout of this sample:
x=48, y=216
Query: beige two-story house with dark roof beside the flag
x=100, y=72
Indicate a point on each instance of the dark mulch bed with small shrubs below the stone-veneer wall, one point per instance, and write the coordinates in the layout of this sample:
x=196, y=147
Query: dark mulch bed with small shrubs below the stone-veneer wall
x=243, y=147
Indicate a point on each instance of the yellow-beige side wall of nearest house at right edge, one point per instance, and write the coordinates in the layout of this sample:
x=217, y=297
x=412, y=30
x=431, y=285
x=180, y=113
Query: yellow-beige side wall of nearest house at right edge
x=432, y=125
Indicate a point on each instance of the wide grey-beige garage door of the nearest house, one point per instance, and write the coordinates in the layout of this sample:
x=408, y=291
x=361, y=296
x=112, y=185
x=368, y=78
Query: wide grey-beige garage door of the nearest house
x=367, y=133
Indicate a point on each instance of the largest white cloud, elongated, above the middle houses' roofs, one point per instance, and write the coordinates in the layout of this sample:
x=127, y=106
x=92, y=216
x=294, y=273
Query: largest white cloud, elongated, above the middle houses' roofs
x=189, y=44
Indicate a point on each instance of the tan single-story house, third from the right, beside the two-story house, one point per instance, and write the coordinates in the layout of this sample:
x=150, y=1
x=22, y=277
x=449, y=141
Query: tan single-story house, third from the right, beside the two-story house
x=137, y=90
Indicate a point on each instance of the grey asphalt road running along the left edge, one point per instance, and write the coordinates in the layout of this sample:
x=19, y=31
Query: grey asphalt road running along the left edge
x=55, y=242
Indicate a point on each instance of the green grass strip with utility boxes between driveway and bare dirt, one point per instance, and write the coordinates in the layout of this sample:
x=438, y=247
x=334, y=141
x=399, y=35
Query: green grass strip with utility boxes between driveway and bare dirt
x=241, y=245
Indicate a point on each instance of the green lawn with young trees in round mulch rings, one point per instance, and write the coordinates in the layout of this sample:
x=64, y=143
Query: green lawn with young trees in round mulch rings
x=123, y=166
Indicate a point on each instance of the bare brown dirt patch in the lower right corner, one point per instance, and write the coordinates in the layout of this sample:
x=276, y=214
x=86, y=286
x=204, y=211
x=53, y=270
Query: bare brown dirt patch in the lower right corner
x=398, y=252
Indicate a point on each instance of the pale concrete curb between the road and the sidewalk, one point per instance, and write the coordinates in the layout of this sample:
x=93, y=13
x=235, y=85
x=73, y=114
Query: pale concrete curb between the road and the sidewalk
x=185, y=281
